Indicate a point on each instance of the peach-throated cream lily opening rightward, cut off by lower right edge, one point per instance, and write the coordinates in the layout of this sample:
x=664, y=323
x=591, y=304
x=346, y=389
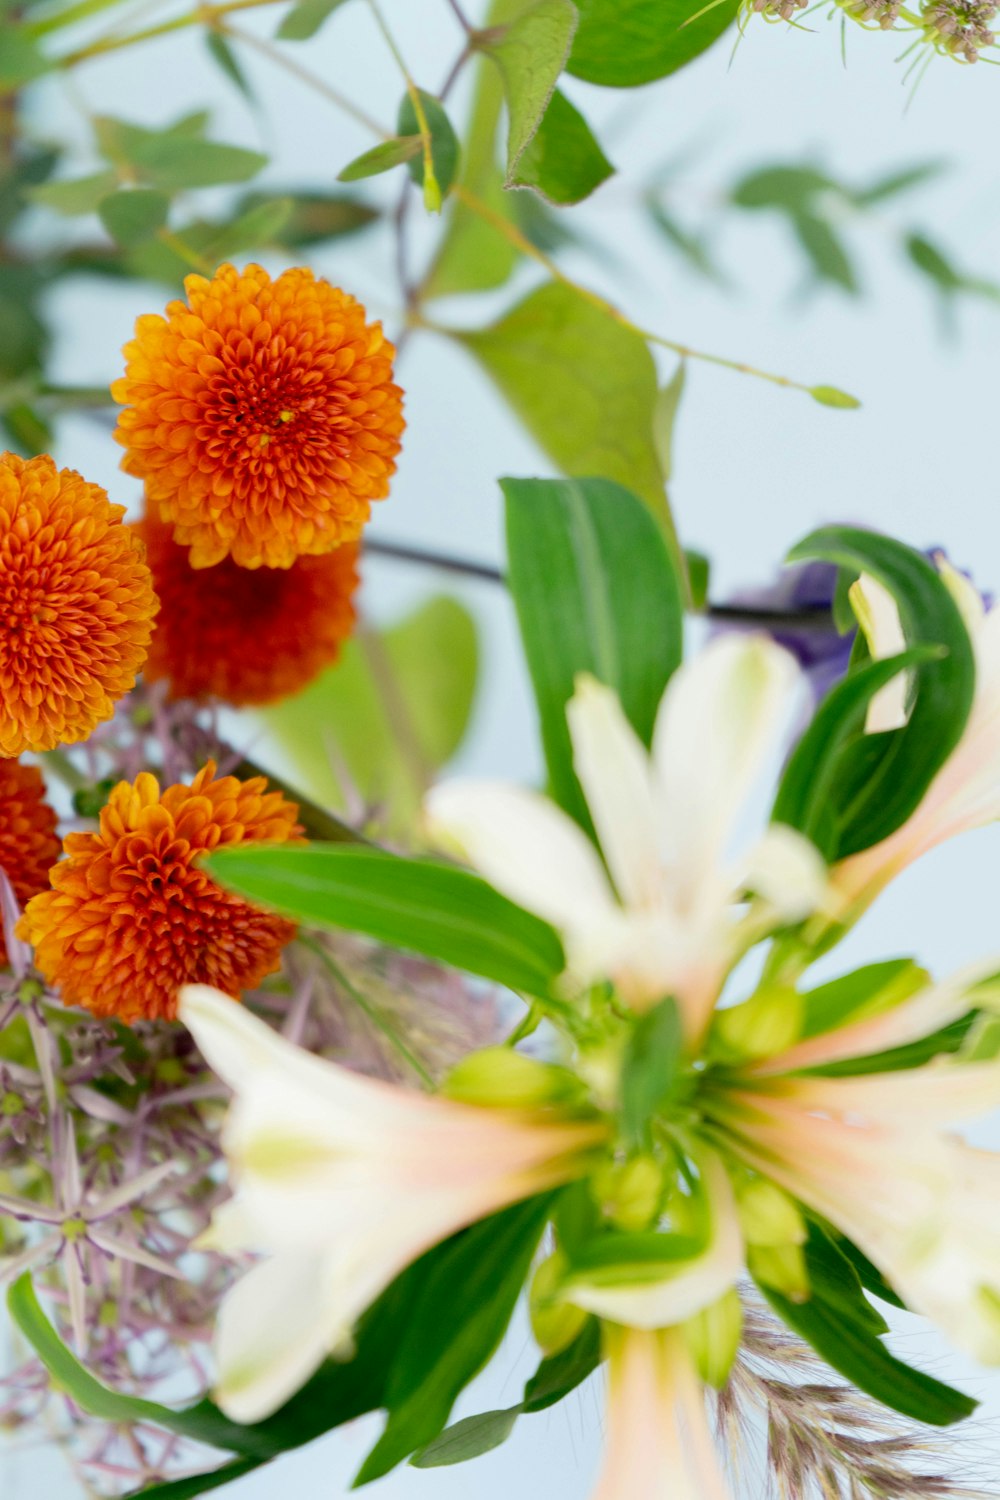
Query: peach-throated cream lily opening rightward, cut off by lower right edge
x=876, y=1157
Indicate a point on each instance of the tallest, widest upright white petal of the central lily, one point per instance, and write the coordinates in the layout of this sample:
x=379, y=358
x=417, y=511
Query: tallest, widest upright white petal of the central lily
x=714, y=728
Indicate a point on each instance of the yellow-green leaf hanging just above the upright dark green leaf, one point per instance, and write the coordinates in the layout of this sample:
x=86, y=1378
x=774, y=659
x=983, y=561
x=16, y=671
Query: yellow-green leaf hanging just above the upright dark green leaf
x=584, y=386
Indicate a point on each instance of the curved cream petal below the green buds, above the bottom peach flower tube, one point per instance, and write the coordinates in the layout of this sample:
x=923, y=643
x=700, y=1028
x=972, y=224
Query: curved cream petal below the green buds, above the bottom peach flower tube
x=687, y=1288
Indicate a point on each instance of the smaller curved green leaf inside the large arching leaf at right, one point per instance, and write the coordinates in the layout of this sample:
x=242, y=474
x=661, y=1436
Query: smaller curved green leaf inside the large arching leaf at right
x=807, y=791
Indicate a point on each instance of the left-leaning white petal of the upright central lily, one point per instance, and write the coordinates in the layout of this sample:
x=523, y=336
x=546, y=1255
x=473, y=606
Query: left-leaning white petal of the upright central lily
x=525, y=847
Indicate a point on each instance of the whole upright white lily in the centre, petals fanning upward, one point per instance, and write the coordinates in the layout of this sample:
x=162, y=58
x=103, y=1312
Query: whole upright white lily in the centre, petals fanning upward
x=671, y=923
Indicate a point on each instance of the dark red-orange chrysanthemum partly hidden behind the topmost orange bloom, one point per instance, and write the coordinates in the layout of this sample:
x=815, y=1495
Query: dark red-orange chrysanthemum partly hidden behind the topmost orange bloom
x=247, y=637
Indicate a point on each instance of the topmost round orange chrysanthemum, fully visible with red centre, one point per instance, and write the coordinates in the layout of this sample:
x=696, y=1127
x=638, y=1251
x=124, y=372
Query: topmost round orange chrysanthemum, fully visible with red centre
x=262, y=415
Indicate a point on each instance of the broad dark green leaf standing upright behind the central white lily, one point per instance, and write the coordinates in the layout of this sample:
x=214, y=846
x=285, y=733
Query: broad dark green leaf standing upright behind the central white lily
x=596, y=592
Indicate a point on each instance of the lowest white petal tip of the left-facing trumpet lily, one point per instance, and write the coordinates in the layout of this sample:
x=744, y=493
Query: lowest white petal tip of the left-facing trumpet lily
x=271, y=1336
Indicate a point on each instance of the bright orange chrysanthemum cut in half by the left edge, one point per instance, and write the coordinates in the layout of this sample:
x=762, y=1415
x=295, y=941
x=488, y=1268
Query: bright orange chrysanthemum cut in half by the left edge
x=77, y=605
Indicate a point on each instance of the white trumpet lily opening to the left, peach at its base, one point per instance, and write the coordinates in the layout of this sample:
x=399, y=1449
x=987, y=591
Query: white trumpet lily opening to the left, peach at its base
x=343, y=1181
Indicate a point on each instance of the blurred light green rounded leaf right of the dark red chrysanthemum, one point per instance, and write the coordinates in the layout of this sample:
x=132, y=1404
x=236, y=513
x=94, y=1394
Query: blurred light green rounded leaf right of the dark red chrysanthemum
x=392, y=712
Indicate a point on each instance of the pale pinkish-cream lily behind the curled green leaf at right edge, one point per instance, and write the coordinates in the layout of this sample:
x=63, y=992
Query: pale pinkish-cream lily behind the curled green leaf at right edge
x=966, y=791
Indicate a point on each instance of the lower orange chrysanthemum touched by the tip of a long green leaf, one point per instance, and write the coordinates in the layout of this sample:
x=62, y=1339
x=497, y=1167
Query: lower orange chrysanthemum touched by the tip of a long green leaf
x=133, y=916
